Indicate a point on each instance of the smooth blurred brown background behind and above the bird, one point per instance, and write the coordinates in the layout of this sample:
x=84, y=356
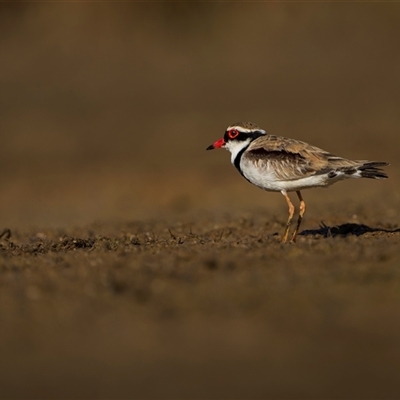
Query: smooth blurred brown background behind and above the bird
x=107, y=108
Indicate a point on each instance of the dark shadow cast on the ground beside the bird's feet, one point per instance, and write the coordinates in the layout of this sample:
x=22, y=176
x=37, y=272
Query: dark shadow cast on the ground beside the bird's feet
x=343, y=230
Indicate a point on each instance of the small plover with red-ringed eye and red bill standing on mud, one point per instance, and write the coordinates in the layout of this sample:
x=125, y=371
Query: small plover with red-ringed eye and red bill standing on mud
x=280, y=164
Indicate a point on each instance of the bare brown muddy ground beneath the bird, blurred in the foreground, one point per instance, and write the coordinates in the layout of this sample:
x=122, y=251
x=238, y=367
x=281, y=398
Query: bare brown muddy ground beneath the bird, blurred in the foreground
x=208, y=305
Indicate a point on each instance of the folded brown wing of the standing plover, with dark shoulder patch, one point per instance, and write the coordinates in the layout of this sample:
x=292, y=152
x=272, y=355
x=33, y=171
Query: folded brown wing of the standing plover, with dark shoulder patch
x=292, y=159
